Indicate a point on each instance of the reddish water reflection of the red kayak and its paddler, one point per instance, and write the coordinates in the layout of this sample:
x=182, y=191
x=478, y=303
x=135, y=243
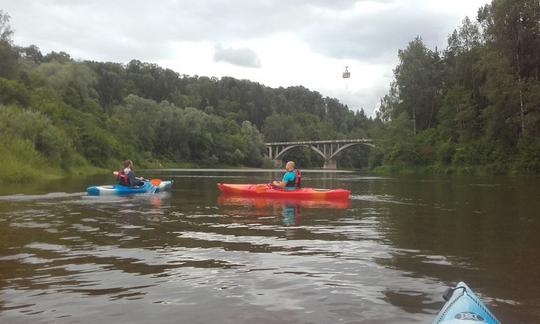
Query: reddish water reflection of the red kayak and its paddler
x=289, y=209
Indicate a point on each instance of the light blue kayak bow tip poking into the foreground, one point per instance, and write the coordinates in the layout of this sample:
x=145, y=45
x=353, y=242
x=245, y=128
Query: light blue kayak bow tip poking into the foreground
x=463, y=306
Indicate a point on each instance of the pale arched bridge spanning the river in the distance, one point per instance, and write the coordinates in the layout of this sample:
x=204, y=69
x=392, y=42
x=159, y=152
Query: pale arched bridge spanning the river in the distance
x=328, y=150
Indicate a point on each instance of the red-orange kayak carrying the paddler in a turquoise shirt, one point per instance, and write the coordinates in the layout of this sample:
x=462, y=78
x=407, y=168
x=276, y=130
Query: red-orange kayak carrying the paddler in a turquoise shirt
x=269, y=191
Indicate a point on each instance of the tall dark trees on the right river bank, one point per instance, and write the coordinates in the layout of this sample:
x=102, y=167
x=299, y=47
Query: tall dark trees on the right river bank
x=476, y=105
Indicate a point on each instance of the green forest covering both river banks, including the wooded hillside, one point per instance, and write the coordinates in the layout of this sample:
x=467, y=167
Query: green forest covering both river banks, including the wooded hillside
x=473, y=107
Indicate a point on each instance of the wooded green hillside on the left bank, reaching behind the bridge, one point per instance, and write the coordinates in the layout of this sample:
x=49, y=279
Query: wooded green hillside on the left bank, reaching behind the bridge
x=59, y=115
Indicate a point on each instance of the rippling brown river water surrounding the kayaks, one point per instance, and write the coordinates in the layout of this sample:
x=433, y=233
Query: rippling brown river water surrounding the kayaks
x=191, y=256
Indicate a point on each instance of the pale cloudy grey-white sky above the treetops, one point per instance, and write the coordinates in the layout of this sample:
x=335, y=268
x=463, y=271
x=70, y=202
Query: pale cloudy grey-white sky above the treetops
x=274, y=42
